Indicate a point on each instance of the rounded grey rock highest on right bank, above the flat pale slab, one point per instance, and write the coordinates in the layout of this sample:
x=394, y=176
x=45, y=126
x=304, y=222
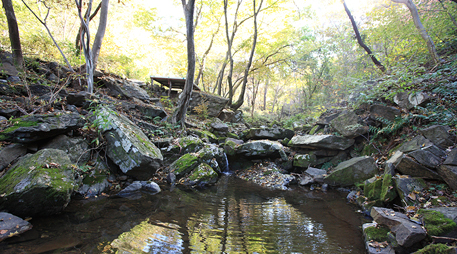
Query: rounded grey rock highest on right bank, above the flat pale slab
x=349, y=125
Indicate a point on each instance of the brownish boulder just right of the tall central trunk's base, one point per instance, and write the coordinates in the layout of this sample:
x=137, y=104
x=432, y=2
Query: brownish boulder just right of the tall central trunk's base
x=215, y=103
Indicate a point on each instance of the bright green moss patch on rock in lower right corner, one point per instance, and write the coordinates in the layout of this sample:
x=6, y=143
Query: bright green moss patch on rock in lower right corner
x=435, y=222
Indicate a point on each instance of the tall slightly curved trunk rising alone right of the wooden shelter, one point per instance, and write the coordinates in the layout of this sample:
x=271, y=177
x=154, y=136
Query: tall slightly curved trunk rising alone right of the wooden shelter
x=180, y=112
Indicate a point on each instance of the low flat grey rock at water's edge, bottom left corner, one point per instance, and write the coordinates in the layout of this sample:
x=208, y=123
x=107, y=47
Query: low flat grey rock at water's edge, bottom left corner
x=11, y=225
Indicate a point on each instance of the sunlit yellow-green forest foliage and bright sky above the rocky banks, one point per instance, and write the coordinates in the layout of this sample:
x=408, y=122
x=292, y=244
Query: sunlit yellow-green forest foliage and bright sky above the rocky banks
x=305, y=54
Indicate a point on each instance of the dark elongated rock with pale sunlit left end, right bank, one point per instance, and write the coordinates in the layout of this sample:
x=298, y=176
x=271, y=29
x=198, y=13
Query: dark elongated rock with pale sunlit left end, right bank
x=408, y=166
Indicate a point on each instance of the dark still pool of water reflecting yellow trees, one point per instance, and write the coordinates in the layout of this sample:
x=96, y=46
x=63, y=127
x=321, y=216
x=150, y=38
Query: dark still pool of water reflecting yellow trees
x=232, y=217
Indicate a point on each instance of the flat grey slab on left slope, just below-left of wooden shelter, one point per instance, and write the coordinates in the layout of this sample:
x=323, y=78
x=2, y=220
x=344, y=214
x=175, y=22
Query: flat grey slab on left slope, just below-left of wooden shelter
x=125, y=88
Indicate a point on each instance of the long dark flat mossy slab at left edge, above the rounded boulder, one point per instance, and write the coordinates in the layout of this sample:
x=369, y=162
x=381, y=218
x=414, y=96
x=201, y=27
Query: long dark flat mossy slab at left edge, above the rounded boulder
x=38, y=127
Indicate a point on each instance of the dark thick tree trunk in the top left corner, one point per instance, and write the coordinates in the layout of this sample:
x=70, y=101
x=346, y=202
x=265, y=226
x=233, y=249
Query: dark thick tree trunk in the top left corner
x=13, y=30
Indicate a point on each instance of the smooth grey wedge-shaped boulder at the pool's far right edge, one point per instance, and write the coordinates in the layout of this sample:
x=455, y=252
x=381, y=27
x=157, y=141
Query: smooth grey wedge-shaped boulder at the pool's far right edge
x=352, y=171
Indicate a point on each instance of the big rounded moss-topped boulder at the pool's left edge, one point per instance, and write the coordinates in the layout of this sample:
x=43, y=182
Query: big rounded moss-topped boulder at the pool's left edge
x=38, y=185
